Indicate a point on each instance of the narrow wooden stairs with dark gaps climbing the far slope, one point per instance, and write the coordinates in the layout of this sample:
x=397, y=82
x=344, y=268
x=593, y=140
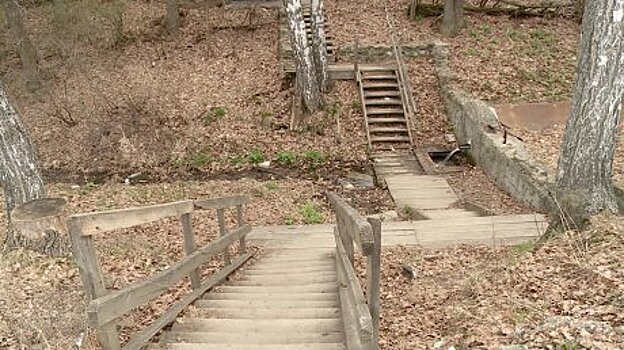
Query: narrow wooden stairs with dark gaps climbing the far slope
x=383, y=105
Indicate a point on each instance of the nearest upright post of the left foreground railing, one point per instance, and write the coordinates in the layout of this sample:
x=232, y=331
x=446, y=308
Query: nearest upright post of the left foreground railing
x=93, y=281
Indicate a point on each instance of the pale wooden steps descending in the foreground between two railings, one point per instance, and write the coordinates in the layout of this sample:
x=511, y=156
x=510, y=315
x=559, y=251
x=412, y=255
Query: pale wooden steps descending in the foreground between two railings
x=287, y=300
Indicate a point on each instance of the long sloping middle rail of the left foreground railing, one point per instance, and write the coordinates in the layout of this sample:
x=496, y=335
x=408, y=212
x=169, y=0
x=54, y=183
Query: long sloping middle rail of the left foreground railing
x=107, y=308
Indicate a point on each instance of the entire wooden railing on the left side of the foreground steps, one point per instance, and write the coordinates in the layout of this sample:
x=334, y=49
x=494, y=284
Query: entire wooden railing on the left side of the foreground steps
x=105, y=307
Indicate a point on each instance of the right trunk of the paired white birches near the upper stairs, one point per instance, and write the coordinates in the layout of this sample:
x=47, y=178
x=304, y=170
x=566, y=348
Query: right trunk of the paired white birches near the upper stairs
x=319, y=45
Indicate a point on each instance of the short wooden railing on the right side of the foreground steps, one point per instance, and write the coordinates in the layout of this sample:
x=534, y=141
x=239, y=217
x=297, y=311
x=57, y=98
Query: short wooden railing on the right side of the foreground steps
x=360, y=314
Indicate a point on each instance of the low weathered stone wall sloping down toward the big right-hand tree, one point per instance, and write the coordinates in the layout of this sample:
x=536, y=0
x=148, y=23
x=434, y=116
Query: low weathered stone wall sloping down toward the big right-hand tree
x=509, y=165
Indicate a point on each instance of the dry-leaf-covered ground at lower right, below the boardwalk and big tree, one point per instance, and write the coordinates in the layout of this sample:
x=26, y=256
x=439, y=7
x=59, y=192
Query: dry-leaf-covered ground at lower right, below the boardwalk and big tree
x=565, y=294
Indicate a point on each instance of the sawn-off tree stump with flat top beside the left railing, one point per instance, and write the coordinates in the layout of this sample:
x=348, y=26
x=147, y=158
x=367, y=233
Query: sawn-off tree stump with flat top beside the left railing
x=40, y=226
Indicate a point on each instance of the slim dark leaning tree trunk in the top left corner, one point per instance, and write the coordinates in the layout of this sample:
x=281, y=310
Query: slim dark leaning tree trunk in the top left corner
x=27, y=52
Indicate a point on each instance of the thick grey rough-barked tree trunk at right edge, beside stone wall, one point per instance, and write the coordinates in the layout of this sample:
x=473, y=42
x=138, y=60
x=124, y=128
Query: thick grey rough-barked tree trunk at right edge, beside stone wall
x=584, y=183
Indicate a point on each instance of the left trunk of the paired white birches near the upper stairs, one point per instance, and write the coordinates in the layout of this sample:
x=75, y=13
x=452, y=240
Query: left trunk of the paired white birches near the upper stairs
x=306, y=88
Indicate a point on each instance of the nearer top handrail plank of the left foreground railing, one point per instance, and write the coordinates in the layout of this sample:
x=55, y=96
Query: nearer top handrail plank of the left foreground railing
x=93, y=223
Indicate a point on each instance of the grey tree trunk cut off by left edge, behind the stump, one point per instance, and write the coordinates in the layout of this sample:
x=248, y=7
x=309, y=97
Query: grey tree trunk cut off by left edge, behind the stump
x=19, y=173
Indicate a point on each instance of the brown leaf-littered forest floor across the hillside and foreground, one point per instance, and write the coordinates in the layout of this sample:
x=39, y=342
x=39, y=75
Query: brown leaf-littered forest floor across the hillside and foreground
x=197, y=114
